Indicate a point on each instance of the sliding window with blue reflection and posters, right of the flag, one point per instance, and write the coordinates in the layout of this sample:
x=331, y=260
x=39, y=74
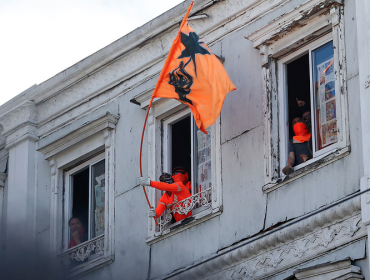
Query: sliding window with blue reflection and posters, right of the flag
x=309, y=77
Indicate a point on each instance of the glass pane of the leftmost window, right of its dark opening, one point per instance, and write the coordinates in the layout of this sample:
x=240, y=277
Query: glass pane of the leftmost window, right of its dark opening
x=98, y=198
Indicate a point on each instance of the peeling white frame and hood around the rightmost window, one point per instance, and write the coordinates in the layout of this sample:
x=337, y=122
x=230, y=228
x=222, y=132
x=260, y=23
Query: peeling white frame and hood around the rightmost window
x=285, y=38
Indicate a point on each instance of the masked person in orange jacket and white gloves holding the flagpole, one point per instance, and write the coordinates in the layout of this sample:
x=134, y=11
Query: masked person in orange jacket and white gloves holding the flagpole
x=174, y=192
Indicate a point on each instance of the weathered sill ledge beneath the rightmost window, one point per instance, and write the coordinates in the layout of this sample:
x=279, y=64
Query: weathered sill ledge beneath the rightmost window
x=319, y=163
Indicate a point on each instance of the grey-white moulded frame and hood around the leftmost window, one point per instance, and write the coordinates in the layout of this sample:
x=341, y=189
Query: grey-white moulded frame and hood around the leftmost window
x=68, y=147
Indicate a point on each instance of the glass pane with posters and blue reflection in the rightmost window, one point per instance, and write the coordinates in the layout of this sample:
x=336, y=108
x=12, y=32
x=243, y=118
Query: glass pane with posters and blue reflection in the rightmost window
x=324, y=97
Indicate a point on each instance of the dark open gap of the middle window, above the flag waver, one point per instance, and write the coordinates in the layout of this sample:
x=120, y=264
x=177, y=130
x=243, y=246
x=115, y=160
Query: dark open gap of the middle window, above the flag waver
x=181, y=145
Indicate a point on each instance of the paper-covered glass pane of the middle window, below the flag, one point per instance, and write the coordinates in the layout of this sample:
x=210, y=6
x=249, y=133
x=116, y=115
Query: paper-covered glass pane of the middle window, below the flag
x=202, y=160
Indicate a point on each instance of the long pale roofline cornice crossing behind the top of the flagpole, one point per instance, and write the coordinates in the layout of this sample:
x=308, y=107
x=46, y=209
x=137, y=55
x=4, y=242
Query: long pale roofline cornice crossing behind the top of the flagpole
x=139, y=53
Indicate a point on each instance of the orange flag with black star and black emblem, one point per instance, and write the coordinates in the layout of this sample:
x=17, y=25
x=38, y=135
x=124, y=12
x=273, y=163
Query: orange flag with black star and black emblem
x=193, y=75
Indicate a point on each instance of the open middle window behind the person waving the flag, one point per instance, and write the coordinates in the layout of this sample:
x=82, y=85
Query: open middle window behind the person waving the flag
x=185, y=145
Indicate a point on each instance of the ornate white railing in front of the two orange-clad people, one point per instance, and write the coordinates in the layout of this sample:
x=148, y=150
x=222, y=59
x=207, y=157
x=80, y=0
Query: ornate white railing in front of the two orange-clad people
x=183, y=207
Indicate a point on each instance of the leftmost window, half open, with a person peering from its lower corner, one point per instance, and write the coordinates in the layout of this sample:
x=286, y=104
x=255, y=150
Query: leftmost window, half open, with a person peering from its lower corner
x=85, y=196
